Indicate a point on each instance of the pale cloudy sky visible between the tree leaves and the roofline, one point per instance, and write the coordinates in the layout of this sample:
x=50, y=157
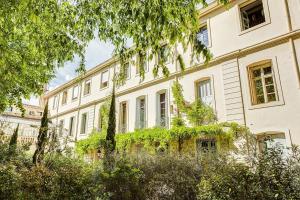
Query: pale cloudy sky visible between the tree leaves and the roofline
x=96, y=52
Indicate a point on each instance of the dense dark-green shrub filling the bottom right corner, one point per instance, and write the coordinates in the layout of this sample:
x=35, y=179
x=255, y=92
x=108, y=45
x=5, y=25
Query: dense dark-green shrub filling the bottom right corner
x=270, y=177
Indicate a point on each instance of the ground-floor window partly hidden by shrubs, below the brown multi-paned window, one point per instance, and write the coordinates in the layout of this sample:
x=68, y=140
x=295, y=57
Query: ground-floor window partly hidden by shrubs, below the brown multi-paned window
x=272, y=140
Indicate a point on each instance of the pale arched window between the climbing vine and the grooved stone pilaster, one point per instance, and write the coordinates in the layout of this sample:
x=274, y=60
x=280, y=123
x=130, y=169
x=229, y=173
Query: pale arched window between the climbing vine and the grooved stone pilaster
x=204, y=91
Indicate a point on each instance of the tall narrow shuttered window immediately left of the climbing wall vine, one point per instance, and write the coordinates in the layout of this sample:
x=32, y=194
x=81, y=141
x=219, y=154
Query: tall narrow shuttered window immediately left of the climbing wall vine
x=162, y=110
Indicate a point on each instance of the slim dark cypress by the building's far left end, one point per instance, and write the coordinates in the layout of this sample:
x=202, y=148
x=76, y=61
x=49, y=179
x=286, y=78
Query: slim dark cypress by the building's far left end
x=42, y=138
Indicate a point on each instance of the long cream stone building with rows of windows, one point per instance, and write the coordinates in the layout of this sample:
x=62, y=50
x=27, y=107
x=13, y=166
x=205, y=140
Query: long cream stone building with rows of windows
x=253, y=78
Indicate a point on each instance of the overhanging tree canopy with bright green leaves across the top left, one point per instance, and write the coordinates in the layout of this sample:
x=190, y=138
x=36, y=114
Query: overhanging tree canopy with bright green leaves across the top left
x=37, y=36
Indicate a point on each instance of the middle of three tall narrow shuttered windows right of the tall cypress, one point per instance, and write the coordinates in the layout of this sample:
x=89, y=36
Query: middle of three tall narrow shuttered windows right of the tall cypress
x=141, y=113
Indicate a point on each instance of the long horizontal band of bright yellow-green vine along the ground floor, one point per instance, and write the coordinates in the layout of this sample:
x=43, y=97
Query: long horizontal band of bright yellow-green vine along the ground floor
x=155, y=138
